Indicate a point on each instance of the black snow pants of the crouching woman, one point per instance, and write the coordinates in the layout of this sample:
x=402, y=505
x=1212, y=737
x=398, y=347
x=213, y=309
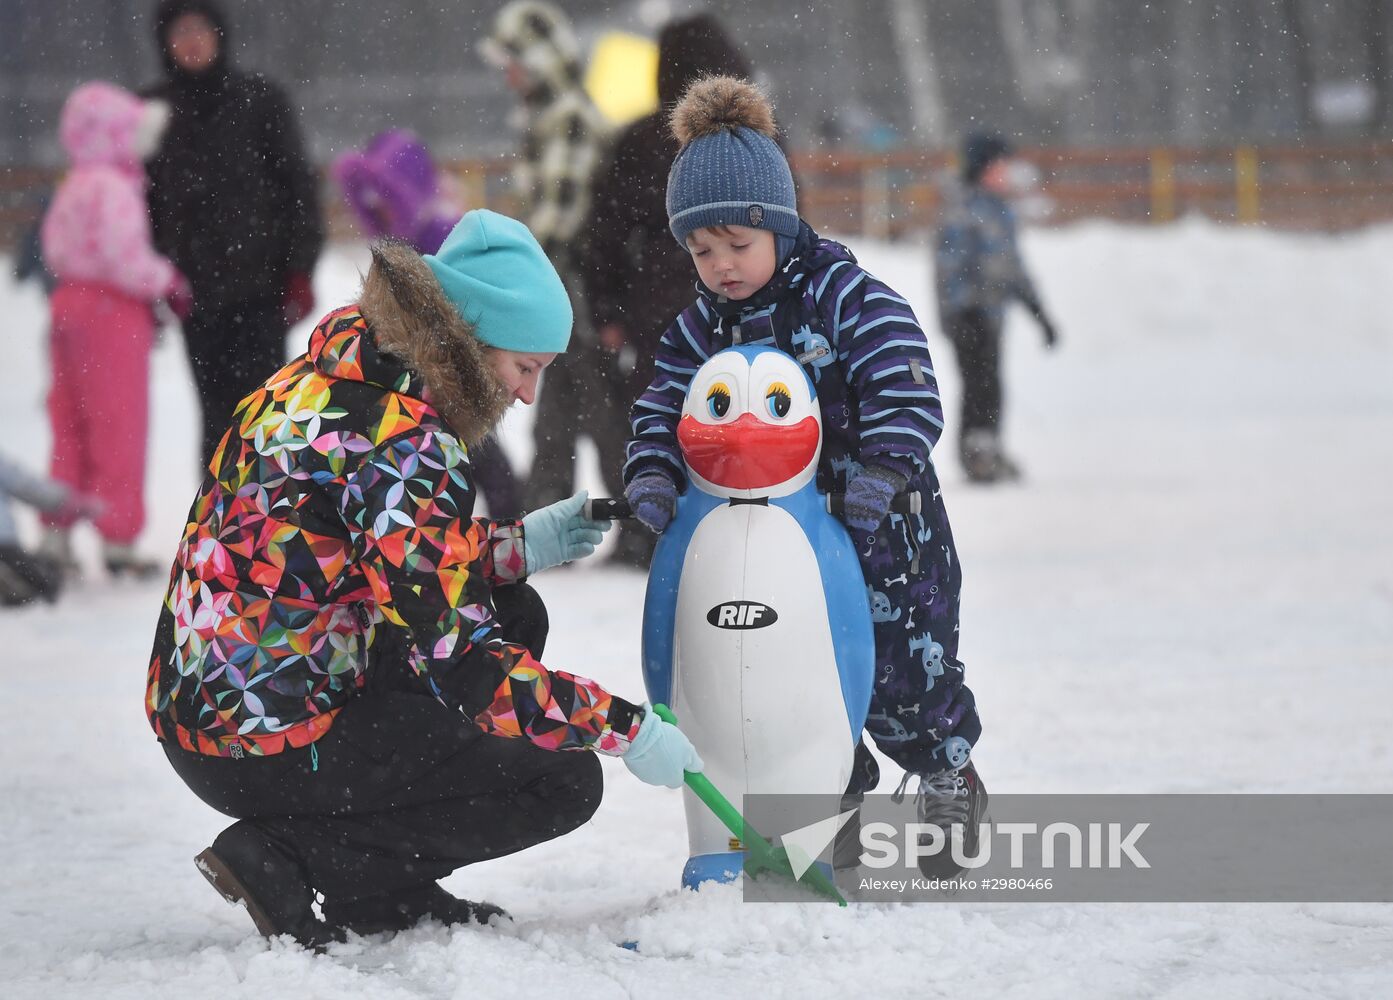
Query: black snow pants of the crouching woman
x=403, y=792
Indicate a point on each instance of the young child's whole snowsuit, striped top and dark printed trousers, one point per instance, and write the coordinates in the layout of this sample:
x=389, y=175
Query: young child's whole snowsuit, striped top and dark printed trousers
x=870, y=361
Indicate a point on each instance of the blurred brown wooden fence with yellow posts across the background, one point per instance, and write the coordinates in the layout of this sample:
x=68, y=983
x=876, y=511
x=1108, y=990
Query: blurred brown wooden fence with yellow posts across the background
x=891, y=196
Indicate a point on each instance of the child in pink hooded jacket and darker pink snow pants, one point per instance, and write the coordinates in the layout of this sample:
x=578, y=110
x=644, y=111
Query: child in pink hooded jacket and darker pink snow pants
x=97, y=242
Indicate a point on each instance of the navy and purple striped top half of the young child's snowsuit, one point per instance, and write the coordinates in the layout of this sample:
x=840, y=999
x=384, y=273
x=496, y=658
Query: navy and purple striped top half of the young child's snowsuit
x=863, y=347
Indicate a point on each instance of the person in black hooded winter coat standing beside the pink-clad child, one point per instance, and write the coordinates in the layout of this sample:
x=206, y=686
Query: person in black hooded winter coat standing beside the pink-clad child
x=235, y=204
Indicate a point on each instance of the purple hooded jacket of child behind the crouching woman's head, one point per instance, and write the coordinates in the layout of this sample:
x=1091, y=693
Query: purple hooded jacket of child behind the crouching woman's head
x=396, y=192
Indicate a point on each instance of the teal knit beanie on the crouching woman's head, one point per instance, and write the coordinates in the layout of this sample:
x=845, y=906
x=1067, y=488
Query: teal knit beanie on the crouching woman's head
x=498, y=278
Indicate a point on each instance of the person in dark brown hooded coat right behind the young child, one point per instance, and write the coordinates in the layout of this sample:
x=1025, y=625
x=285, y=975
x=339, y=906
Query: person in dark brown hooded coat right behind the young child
x=636, y=278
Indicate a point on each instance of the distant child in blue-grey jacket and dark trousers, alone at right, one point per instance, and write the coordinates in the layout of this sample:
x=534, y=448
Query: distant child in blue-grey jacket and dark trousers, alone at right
x=980, y=271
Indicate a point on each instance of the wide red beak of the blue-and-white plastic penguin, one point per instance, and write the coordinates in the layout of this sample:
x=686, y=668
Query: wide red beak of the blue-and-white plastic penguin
x=747, y=453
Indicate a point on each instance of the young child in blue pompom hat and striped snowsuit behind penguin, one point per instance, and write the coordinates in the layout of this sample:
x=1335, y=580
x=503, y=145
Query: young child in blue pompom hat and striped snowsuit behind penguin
x=768, y=279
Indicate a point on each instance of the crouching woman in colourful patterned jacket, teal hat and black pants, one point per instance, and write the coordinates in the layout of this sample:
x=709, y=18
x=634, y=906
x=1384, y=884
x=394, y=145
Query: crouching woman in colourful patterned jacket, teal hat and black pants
x=348, y=662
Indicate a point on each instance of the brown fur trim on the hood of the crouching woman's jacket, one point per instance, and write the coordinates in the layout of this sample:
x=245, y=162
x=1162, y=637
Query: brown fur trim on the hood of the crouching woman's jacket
x=412, y=320
